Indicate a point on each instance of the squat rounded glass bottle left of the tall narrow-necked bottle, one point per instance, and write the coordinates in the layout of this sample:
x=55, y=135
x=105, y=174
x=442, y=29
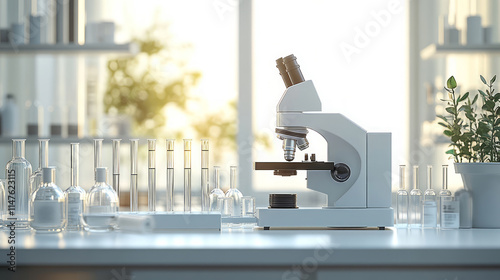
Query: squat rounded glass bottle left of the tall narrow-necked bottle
x=47, y=204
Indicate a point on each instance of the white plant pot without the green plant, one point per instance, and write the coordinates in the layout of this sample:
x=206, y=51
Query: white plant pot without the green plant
x=483, y=181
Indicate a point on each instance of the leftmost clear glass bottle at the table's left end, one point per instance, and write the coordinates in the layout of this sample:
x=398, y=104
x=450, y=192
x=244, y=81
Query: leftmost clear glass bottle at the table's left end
x=18, y=172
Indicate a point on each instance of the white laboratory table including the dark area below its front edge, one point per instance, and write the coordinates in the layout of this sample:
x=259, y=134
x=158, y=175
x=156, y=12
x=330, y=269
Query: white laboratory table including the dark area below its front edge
x=257, y=254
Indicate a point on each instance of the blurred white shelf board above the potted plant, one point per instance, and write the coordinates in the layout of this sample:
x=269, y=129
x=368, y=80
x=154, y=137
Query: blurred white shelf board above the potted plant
x=435, y=50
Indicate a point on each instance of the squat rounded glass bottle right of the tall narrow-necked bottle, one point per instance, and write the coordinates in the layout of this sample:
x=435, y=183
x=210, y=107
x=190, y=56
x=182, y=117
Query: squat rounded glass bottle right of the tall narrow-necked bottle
x=101, y=204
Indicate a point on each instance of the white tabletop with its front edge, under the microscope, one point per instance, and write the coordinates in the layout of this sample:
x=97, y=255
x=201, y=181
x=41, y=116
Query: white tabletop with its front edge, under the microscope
x=471, y=247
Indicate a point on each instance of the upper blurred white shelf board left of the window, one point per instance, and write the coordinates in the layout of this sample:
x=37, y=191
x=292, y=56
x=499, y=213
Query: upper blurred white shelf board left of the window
x=58, y=49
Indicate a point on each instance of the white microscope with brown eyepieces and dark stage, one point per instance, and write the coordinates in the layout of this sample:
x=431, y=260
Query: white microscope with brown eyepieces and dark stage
x=356, y=176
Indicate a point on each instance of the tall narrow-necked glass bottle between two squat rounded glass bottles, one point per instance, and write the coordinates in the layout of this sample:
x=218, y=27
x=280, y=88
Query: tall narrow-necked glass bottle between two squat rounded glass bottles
x=75, y=195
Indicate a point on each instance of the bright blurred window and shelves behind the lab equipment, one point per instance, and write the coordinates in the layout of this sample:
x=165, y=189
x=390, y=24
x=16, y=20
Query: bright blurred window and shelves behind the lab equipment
x=206, y=69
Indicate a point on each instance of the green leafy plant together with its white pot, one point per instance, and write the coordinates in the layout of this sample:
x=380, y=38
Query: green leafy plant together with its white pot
x=473, y=126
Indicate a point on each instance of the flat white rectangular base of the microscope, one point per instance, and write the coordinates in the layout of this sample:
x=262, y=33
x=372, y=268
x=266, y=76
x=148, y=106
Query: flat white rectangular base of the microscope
x=325, y=218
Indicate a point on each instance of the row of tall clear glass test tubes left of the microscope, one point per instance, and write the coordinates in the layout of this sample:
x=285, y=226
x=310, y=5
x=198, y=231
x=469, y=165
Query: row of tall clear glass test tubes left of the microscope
x=134, y=193
